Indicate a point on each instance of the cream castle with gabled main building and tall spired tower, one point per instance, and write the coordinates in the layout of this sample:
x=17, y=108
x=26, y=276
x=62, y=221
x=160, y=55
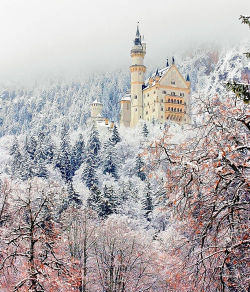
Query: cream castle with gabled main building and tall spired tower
x=163, y=96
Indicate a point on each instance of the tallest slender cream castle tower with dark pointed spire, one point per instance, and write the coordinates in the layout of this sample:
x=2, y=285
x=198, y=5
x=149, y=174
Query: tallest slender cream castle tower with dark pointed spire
x=137, y=70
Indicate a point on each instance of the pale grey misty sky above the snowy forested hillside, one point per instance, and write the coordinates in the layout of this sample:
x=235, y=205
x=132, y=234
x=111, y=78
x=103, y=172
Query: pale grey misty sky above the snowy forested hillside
x=68, y=37
